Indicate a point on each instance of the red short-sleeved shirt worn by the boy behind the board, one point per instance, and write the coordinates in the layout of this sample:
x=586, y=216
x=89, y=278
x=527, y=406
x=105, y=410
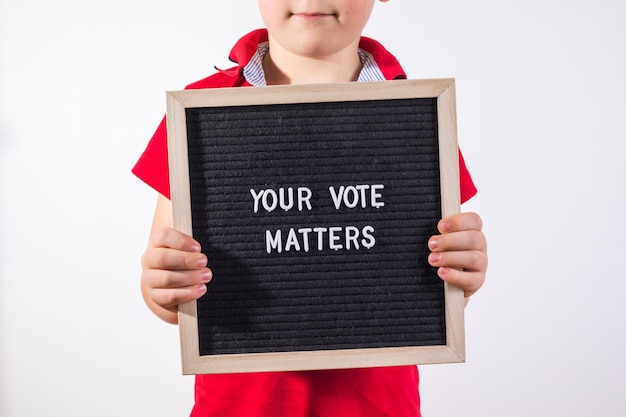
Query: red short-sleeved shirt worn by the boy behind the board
x=389, y=391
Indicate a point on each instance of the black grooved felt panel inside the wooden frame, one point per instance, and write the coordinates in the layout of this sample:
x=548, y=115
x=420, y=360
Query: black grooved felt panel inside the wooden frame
x=311, y=296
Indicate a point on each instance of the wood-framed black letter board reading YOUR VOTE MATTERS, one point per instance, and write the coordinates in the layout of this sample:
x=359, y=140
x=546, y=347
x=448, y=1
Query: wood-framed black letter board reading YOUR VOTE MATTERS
x=314, y=205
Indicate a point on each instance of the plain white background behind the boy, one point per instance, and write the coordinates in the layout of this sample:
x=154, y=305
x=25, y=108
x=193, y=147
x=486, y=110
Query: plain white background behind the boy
x=541, y=112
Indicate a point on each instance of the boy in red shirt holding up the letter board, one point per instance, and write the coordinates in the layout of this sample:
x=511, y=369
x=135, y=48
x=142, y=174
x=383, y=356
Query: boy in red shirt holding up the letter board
x=306, y=41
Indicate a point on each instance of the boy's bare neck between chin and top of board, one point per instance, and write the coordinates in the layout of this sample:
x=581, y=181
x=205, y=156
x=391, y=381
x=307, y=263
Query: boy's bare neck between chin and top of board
x=282, y=67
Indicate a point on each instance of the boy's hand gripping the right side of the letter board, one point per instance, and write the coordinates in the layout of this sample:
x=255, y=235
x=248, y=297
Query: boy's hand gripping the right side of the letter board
x=460, y=252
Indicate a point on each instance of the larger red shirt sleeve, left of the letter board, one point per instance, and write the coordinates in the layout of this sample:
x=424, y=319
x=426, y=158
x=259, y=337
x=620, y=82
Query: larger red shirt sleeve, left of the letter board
x=153, y=165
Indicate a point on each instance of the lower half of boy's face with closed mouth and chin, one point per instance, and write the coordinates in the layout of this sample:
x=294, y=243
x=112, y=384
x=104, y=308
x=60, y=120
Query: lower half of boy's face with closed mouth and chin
x=315, y=28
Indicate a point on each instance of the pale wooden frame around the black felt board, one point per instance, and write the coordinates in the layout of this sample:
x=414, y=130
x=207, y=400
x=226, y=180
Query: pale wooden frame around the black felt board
x=444, y=92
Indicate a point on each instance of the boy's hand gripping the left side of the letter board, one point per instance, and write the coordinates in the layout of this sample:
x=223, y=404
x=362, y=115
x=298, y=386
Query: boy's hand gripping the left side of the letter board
x=174, y=272
